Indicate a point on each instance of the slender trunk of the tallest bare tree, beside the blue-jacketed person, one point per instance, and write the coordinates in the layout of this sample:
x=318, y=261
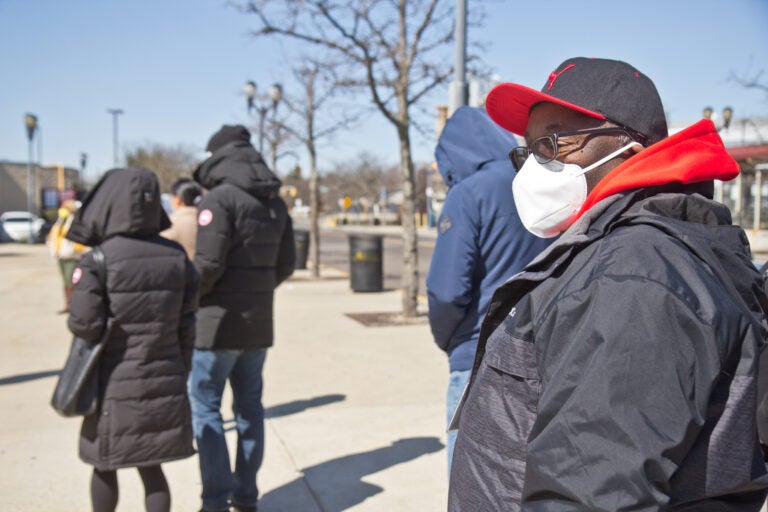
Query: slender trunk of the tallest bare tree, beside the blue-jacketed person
x=410, y=236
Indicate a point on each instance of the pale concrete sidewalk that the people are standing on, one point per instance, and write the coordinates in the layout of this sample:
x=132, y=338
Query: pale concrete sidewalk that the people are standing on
x=355, y=413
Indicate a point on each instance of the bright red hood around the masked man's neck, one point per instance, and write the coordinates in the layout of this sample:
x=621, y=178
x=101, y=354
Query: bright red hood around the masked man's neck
x=692, y=155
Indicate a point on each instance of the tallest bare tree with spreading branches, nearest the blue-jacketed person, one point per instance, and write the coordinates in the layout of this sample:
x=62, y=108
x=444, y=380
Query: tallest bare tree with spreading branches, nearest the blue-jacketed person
x=397, y=49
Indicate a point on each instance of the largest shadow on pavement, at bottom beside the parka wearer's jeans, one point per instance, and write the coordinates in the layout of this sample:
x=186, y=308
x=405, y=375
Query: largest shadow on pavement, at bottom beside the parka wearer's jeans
x=337, y=484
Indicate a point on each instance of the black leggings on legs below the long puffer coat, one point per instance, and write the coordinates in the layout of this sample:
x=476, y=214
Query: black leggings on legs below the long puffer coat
x=157, y=497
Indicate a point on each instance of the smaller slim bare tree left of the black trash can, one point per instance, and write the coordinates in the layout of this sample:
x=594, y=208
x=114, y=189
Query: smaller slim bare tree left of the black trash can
x=318, y=87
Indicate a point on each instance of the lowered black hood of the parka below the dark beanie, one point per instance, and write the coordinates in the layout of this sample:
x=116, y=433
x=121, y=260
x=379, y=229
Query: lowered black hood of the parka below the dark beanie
x=239, y=164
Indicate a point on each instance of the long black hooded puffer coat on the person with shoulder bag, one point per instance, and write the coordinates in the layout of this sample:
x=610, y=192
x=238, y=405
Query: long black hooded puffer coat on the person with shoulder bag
x=149, y=301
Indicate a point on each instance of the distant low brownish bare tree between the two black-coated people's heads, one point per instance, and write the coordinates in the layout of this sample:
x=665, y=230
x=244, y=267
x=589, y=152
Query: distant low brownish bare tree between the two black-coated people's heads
x=168, y=162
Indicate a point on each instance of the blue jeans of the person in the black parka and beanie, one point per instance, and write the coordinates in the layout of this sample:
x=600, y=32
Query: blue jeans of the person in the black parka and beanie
x=210, y=371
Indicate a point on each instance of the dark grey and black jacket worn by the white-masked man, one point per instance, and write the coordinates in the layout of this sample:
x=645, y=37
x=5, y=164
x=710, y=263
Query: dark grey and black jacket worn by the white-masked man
x=625, y=360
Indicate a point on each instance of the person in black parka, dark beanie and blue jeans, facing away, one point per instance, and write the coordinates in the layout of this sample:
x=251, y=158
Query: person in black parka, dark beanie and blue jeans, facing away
x=245, y=249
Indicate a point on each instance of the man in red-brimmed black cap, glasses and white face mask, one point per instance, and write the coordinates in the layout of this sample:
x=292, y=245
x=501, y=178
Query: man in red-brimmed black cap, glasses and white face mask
x=618, y=370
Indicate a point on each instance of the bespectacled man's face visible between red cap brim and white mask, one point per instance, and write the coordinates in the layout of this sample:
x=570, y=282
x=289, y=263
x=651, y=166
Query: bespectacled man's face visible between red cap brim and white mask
x=583, y=150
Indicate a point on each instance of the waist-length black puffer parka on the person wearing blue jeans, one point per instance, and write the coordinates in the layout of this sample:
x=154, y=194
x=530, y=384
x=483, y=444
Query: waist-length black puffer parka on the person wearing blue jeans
x=244, y=249
